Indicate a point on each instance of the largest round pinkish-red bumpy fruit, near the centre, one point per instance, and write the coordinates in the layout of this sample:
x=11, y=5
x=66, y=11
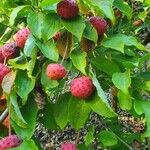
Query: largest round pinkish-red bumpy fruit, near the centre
x=82, y=87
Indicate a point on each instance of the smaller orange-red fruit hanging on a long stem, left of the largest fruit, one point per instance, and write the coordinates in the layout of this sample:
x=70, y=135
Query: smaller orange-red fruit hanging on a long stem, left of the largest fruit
x=55, y=71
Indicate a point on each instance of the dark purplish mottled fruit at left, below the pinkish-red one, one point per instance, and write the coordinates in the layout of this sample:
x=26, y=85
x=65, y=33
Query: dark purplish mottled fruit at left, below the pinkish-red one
x=10, y=50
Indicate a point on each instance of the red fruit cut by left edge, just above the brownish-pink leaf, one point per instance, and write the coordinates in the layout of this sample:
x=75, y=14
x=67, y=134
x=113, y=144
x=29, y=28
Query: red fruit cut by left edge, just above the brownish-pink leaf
x=3, y=71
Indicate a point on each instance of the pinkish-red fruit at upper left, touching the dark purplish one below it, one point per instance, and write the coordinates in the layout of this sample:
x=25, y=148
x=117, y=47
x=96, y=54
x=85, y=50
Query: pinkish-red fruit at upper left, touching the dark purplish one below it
x=21, y=36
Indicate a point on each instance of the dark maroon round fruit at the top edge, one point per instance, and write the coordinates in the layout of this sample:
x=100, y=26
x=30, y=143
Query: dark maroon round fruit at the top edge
x=67, y=9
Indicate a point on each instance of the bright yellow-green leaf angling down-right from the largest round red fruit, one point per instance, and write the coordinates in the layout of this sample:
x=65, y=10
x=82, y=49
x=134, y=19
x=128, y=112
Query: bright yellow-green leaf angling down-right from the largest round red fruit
x=100, y=107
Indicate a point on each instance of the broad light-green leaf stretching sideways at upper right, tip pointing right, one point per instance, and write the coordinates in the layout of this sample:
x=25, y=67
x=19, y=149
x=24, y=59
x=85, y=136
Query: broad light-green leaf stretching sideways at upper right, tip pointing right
x=119, y=41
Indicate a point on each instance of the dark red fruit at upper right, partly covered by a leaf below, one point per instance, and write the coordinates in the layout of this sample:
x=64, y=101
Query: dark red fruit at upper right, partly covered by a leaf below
x=99, y=24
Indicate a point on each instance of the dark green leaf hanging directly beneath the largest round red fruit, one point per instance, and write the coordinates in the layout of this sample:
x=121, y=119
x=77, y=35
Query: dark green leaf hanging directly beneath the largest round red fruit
x=78, y=112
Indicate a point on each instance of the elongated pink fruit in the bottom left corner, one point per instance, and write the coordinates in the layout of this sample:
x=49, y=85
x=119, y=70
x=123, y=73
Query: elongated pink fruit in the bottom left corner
x=9, y=142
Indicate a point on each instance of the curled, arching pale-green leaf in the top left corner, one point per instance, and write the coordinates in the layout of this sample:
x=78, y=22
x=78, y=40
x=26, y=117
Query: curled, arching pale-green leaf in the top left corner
x=16, y=11
